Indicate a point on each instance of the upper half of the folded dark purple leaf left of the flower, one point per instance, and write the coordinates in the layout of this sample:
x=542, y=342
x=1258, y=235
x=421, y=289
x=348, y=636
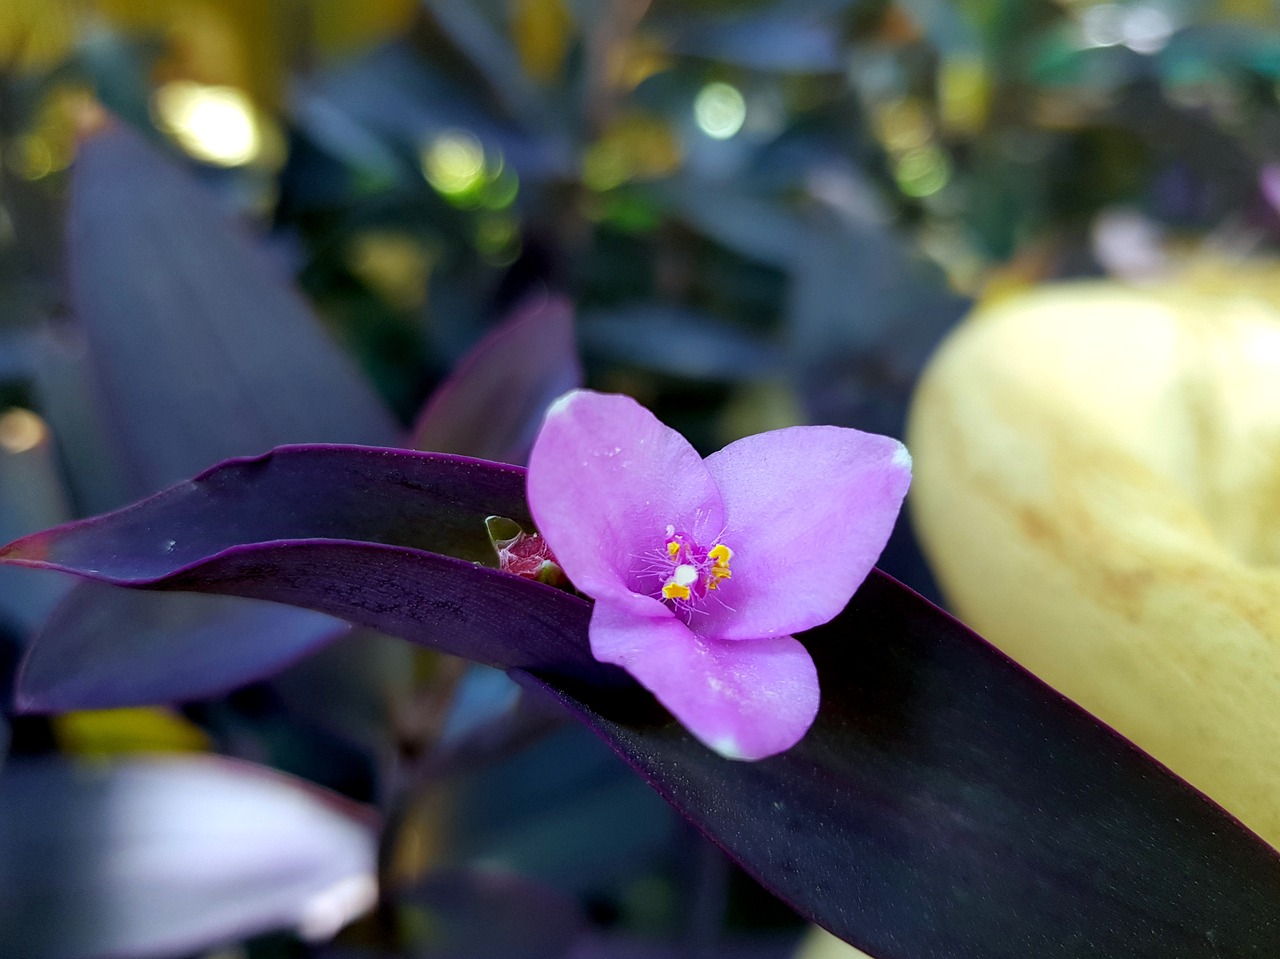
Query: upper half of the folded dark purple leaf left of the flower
x=368, y=495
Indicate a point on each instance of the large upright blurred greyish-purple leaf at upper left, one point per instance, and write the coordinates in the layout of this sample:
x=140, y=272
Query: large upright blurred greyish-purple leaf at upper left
x=204, y=351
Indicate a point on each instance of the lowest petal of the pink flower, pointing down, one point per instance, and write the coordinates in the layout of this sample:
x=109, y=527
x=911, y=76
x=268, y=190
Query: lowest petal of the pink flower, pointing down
x=744, y=700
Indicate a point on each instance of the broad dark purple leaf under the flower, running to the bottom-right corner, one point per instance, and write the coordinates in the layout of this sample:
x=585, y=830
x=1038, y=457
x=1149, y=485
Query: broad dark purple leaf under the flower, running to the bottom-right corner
x=948, y=803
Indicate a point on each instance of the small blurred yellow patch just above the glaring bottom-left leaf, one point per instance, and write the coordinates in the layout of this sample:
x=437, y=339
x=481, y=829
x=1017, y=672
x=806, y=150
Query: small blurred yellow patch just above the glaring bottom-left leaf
x=103, y=733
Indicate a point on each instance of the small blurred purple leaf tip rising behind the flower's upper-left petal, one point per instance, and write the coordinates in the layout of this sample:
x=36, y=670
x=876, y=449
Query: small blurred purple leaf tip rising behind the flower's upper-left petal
x=493, y=404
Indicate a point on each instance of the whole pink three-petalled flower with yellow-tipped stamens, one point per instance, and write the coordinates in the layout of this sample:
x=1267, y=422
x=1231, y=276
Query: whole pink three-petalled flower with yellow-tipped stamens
x=703, y=569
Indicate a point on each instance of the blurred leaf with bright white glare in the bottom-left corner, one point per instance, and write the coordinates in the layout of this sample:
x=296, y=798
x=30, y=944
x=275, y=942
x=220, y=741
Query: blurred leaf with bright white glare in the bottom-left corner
x=175, y=856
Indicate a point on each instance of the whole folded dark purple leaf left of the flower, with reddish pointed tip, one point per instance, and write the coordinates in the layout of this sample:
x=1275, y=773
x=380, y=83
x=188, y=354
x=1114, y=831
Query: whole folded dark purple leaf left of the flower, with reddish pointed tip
x=386, y=538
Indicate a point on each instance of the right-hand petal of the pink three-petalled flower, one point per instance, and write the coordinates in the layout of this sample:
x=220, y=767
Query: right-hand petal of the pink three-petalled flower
x=807, y=512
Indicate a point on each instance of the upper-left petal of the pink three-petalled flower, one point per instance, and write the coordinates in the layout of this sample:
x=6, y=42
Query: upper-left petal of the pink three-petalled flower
x=606, y=479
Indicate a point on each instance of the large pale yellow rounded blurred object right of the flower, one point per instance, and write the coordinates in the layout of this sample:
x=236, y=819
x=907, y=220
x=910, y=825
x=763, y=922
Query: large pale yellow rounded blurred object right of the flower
x=1098, y=486
